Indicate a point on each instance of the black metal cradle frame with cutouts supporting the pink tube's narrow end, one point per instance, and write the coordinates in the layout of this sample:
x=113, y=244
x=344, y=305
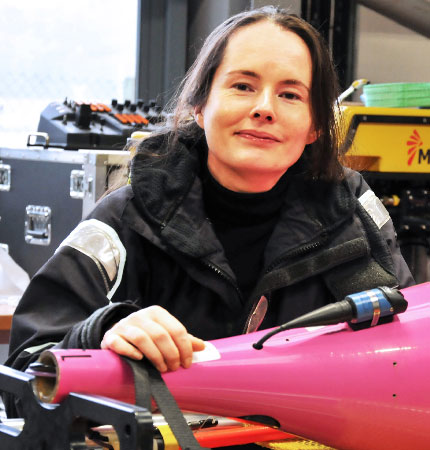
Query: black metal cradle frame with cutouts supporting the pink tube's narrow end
x=64, y=426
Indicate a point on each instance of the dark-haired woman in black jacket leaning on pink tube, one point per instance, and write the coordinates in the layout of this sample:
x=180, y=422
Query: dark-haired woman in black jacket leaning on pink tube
x=243, y=206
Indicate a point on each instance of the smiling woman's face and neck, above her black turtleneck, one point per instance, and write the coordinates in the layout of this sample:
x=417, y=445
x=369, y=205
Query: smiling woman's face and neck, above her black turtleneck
x=257, y=118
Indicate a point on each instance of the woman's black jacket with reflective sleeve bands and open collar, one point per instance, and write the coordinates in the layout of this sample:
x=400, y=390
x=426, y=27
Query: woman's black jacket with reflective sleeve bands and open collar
x=151, y=243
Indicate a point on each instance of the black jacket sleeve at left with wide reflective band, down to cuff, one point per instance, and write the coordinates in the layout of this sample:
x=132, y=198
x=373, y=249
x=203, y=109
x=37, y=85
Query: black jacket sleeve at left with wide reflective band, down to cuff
x=67, y=303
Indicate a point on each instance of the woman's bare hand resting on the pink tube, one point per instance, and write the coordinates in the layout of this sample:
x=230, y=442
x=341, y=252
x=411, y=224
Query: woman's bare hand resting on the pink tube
x=154, y=333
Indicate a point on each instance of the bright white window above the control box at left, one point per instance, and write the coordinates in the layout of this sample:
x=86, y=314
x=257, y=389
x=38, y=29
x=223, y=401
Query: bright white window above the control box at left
x=83, y=50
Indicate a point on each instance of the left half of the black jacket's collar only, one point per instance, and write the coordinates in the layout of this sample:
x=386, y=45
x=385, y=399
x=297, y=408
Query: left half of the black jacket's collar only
x=168, y=194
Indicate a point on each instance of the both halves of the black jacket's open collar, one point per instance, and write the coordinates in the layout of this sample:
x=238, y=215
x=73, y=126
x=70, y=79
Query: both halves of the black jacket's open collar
x=168, y=194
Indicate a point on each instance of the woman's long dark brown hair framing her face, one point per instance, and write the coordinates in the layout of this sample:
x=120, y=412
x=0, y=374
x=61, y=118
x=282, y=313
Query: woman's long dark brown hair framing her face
x=322, y=157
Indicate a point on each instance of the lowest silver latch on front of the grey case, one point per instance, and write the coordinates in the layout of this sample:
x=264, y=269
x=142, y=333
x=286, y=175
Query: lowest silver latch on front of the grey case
x=38, y=225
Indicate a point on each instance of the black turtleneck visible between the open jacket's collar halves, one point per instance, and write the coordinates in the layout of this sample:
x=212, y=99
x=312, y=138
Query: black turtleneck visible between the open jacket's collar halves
x=243, y=223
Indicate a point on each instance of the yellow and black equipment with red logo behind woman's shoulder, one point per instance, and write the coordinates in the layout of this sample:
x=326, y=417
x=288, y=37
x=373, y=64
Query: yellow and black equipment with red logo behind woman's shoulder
x=391, y=146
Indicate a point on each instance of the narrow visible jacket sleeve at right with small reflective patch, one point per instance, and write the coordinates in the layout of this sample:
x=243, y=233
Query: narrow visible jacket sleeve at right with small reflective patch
x=382, y=219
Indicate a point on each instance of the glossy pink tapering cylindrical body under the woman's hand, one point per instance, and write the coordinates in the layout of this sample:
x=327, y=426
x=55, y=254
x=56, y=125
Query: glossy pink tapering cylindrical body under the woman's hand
x=352, y=390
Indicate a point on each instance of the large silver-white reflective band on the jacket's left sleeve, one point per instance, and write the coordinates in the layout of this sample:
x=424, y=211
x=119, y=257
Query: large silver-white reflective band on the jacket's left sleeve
x=101, y=243
